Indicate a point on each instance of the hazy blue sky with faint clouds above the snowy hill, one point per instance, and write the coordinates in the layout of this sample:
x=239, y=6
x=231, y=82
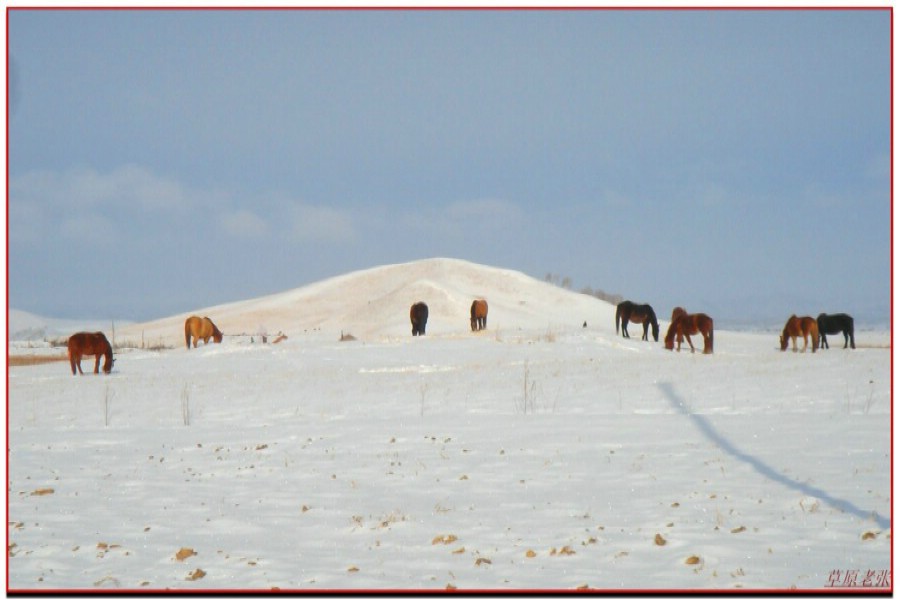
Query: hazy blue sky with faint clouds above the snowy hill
x=733, y=162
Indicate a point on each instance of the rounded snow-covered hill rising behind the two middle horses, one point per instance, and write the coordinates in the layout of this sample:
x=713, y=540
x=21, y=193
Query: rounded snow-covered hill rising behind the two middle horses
x=374, y=304
